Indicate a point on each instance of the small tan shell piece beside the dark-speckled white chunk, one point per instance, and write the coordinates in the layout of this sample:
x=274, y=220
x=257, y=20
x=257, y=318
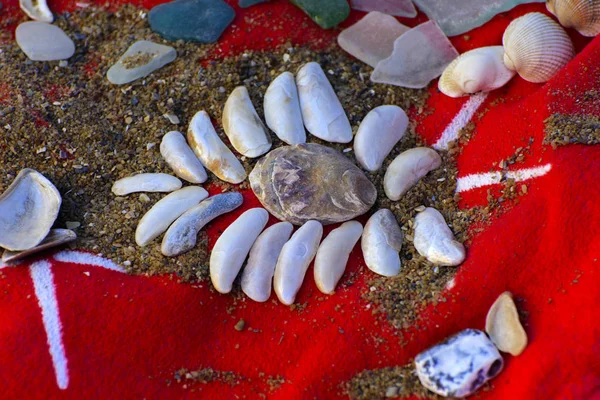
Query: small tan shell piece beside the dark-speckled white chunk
x=503, y=325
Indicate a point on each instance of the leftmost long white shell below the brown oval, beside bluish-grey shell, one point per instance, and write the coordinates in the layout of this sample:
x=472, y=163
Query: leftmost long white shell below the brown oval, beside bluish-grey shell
x=231, y=249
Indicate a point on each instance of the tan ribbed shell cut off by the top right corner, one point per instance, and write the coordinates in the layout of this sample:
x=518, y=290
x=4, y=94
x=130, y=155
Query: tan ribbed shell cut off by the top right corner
x=583, y=15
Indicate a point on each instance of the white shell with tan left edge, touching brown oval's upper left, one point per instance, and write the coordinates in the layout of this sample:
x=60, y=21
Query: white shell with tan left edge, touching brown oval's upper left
x=243, y=126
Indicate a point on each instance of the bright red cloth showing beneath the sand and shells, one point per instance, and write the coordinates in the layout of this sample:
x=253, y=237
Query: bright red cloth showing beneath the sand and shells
x=125, y=336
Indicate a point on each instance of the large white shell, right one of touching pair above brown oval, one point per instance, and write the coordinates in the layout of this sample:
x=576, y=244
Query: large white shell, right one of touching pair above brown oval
x=322, y=111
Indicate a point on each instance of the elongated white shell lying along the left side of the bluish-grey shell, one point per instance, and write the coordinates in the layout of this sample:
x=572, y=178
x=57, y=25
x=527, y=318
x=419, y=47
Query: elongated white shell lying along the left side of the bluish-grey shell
x=165, y=211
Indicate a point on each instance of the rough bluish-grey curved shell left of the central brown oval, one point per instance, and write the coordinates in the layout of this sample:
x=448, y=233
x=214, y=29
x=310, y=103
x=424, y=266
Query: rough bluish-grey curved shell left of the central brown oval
x=182, y=235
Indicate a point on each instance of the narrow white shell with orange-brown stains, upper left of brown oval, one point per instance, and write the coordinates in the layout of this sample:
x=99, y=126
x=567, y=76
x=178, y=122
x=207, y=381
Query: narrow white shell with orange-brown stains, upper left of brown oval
x=211, y=150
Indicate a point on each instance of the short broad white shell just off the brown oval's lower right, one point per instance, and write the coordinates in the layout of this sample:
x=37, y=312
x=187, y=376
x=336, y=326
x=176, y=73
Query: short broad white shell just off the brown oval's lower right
x=381, y=243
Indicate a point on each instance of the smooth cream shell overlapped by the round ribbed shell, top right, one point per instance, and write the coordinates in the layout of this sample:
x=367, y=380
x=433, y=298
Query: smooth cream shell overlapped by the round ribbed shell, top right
x=478, y=70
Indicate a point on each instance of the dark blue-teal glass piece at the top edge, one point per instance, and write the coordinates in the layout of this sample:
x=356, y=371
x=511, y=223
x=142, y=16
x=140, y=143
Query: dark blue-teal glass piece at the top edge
x=195, y=20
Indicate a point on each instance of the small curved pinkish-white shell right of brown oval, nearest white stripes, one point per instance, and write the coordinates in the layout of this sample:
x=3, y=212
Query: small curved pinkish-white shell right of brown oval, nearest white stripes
x=407, y=169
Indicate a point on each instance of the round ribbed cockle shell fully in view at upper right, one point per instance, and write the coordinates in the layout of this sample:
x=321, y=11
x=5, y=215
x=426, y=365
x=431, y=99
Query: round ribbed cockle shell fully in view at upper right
x=536, y=47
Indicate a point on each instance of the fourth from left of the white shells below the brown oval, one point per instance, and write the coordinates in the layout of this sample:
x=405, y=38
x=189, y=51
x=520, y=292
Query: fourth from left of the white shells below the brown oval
x=333, y=254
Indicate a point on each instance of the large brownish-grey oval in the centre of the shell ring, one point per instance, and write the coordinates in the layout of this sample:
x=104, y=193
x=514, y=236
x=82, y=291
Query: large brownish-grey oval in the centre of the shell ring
x=311, y=182
